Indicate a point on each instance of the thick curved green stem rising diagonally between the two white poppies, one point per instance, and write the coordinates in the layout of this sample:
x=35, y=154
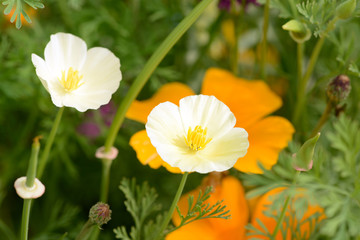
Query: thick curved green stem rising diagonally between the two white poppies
x=149, y=68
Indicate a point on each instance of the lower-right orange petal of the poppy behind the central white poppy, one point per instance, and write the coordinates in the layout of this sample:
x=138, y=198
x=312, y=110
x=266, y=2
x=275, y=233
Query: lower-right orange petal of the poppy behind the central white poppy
x=267, y=138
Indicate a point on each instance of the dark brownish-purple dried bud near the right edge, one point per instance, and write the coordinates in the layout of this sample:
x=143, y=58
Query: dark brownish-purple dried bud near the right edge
x=339, y=88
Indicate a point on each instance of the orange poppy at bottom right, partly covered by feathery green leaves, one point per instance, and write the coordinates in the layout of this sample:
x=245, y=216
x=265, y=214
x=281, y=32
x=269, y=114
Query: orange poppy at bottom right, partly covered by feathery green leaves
x=303, y=231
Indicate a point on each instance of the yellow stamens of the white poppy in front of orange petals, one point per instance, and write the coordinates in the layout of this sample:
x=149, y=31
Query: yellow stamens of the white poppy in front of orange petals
x=196, y=139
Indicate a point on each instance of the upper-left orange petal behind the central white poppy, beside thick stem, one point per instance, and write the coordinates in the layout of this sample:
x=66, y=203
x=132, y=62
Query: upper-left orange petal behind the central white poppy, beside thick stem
x=172, y=92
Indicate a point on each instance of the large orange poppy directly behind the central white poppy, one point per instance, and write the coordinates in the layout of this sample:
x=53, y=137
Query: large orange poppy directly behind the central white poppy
x=250, y=101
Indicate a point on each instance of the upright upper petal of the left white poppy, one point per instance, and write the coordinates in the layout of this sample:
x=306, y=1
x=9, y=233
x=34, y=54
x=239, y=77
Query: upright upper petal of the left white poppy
x=64, y=51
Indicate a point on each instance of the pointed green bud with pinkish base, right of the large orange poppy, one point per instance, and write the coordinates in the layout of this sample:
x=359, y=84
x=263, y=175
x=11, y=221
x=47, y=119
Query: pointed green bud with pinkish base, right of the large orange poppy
x=303, y=159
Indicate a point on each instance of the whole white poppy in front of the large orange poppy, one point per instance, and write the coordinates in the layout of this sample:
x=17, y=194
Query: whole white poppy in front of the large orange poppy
x=199, y=135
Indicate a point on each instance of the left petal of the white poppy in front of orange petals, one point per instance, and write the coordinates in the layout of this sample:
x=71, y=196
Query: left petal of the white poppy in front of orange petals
x=166, y=133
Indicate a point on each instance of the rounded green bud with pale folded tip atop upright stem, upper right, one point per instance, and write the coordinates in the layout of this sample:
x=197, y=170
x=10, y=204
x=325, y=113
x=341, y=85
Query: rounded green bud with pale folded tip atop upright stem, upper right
x=297, y=30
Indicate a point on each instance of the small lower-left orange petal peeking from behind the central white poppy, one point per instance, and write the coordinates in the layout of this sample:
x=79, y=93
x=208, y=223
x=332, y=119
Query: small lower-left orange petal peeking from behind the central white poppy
x=146, y=152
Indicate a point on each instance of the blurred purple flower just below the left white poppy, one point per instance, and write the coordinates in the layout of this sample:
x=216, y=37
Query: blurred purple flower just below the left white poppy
x=95, y=121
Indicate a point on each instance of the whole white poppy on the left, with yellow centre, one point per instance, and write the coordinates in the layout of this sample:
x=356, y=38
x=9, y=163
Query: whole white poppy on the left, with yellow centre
x=77, y=77
